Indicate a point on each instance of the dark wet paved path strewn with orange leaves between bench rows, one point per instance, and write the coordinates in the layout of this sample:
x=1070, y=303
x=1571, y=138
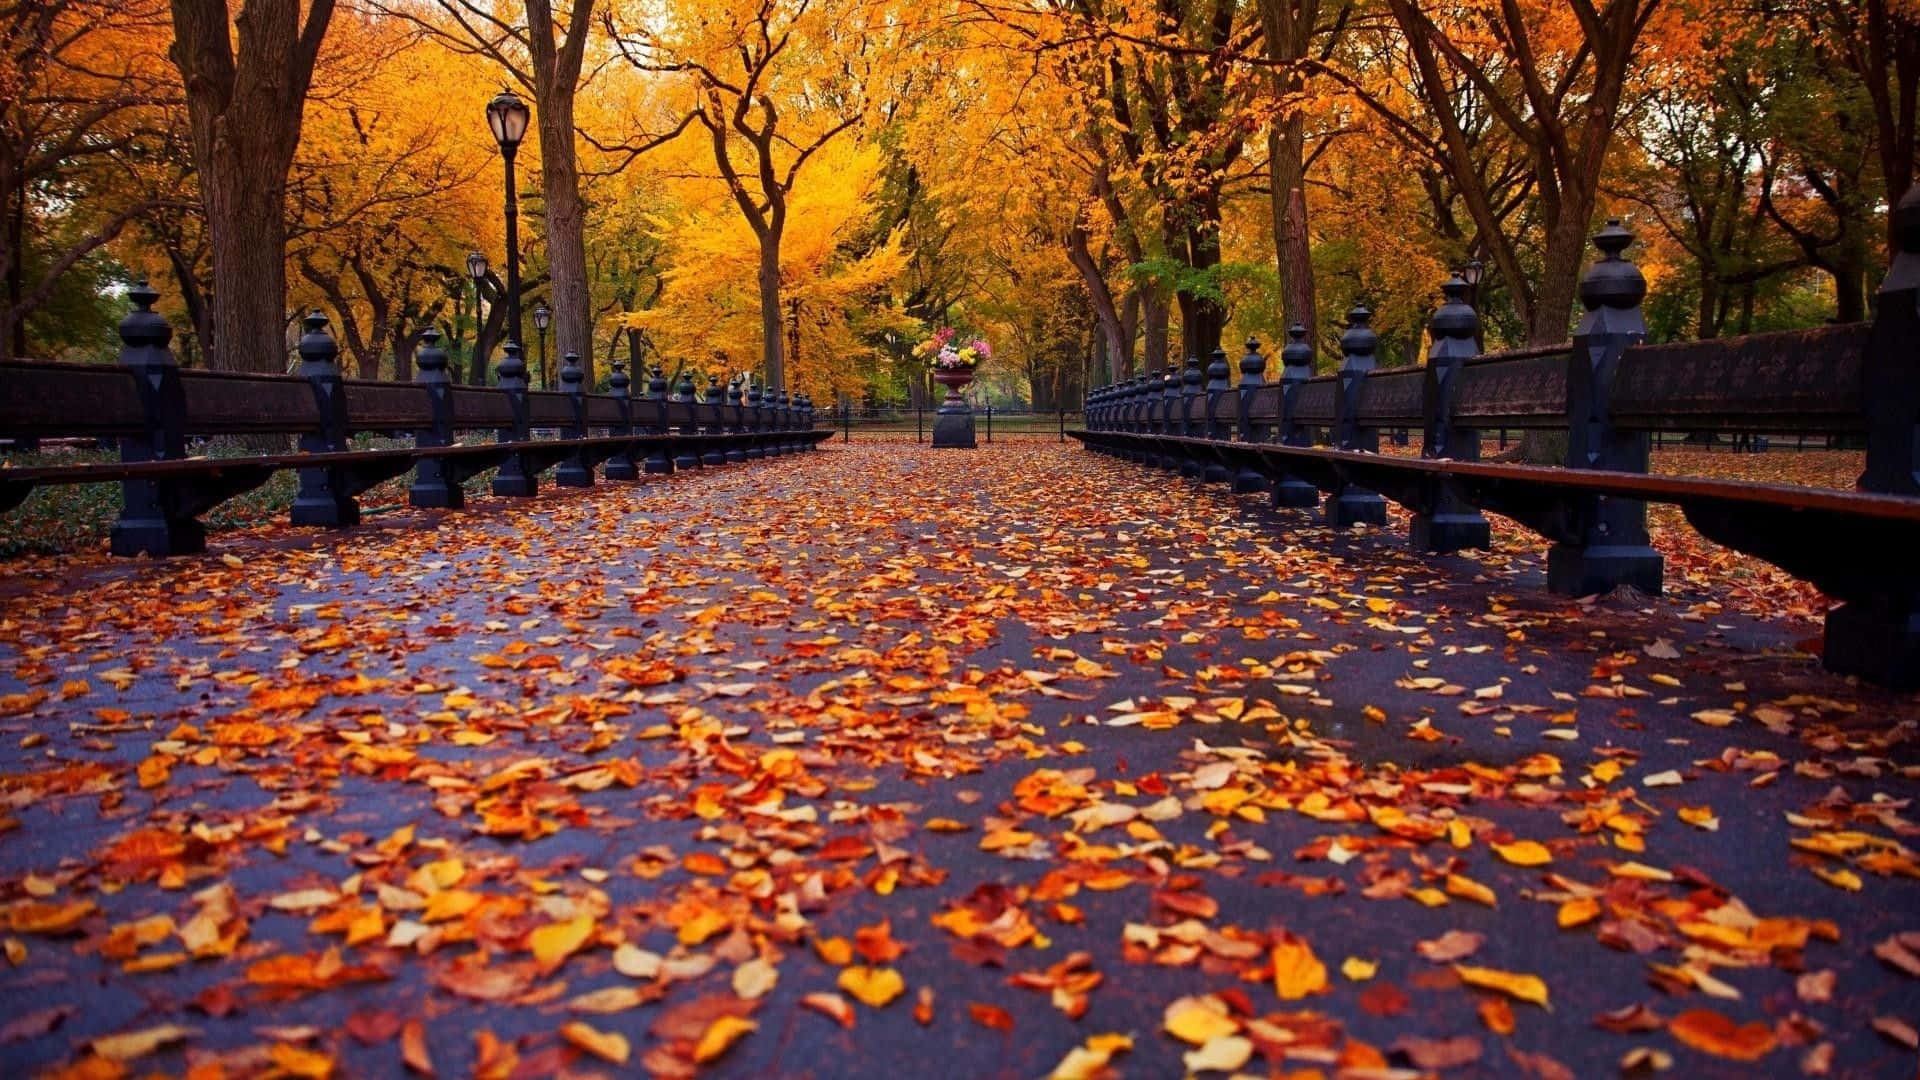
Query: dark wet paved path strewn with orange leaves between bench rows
x=1019, y=764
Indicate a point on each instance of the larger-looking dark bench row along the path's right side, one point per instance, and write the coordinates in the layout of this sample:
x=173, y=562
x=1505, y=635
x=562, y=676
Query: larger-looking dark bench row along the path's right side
x=1610, y=393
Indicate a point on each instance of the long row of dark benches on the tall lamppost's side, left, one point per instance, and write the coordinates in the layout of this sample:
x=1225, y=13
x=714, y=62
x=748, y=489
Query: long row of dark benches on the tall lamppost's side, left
x=153, y=408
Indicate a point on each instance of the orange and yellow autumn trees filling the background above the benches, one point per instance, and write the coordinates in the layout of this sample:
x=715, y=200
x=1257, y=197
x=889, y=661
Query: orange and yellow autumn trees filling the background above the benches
x=805, y=189
